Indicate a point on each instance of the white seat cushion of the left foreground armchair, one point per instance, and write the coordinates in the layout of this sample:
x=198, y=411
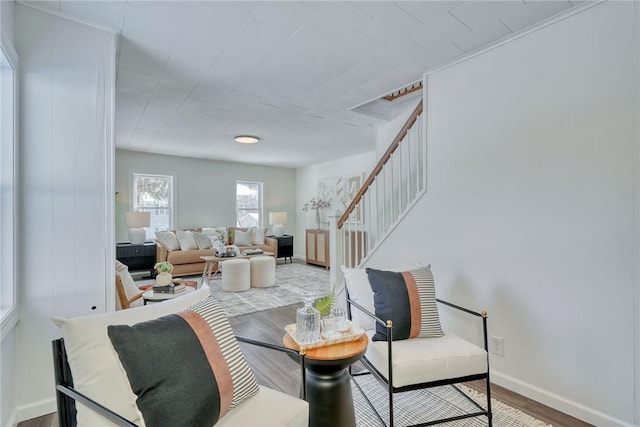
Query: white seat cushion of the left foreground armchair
x=269, y=408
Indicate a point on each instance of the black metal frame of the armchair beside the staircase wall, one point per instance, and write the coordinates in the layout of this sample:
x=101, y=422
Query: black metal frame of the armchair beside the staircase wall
x=388, y=383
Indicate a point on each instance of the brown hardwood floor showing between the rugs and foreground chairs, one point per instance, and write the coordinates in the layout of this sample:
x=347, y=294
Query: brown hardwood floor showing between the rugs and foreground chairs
x=279, y=371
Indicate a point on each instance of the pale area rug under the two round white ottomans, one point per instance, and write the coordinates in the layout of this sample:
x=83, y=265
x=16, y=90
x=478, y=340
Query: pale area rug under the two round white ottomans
x=291, y=279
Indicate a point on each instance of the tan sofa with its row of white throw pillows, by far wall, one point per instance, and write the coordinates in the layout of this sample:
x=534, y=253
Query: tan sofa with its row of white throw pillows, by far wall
x=183, y=248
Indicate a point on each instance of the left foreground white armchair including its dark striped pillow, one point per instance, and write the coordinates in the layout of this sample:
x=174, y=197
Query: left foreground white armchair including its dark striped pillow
x=90, y=366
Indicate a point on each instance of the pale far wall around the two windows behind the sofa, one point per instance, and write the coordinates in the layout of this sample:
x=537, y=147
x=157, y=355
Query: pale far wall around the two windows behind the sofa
x=205, y=188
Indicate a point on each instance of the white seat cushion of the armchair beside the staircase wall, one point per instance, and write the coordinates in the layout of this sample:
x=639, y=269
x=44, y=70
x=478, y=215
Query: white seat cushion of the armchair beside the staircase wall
x=420, y=360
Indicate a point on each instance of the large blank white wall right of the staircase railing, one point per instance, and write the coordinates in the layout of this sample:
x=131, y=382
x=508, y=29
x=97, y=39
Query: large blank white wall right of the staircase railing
x=530, y=209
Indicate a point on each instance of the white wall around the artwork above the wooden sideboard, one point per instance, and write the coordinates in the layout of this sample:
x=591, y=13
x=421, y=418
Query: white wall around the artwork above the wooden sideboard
x=307, y=187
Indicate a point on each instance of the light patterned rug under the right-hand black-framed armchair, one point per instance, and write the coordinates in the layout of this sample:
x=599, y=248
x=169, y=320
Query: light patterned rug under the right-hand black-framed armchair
x=426, y=405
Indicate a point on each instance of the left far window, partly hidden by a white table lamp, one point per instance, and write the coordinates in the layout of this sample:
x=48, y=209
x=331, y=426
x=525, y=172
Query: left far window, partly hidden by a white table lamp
x=154, y=194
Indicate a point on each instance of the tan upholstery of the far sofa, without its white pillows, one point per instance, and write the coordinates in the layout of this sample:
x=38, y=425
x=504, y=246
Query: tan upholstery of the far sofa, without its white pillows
x=188, y=262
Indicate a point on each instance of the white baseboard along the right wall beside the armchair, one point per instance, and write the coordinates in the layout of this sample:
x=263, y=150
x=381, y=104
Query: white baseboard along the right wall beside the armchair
x=556, y=401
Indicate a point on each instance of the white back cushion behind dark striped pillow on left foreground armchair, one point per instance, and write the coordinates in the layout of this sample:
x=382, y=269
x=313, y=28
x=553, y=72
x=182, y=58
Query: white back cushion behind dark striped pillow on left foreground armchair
x=95, y=367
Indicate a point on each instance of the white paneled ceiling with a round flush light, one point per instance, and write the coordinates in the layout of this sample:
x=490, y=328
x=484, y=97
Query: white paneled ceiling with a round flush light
x=193, y=74
